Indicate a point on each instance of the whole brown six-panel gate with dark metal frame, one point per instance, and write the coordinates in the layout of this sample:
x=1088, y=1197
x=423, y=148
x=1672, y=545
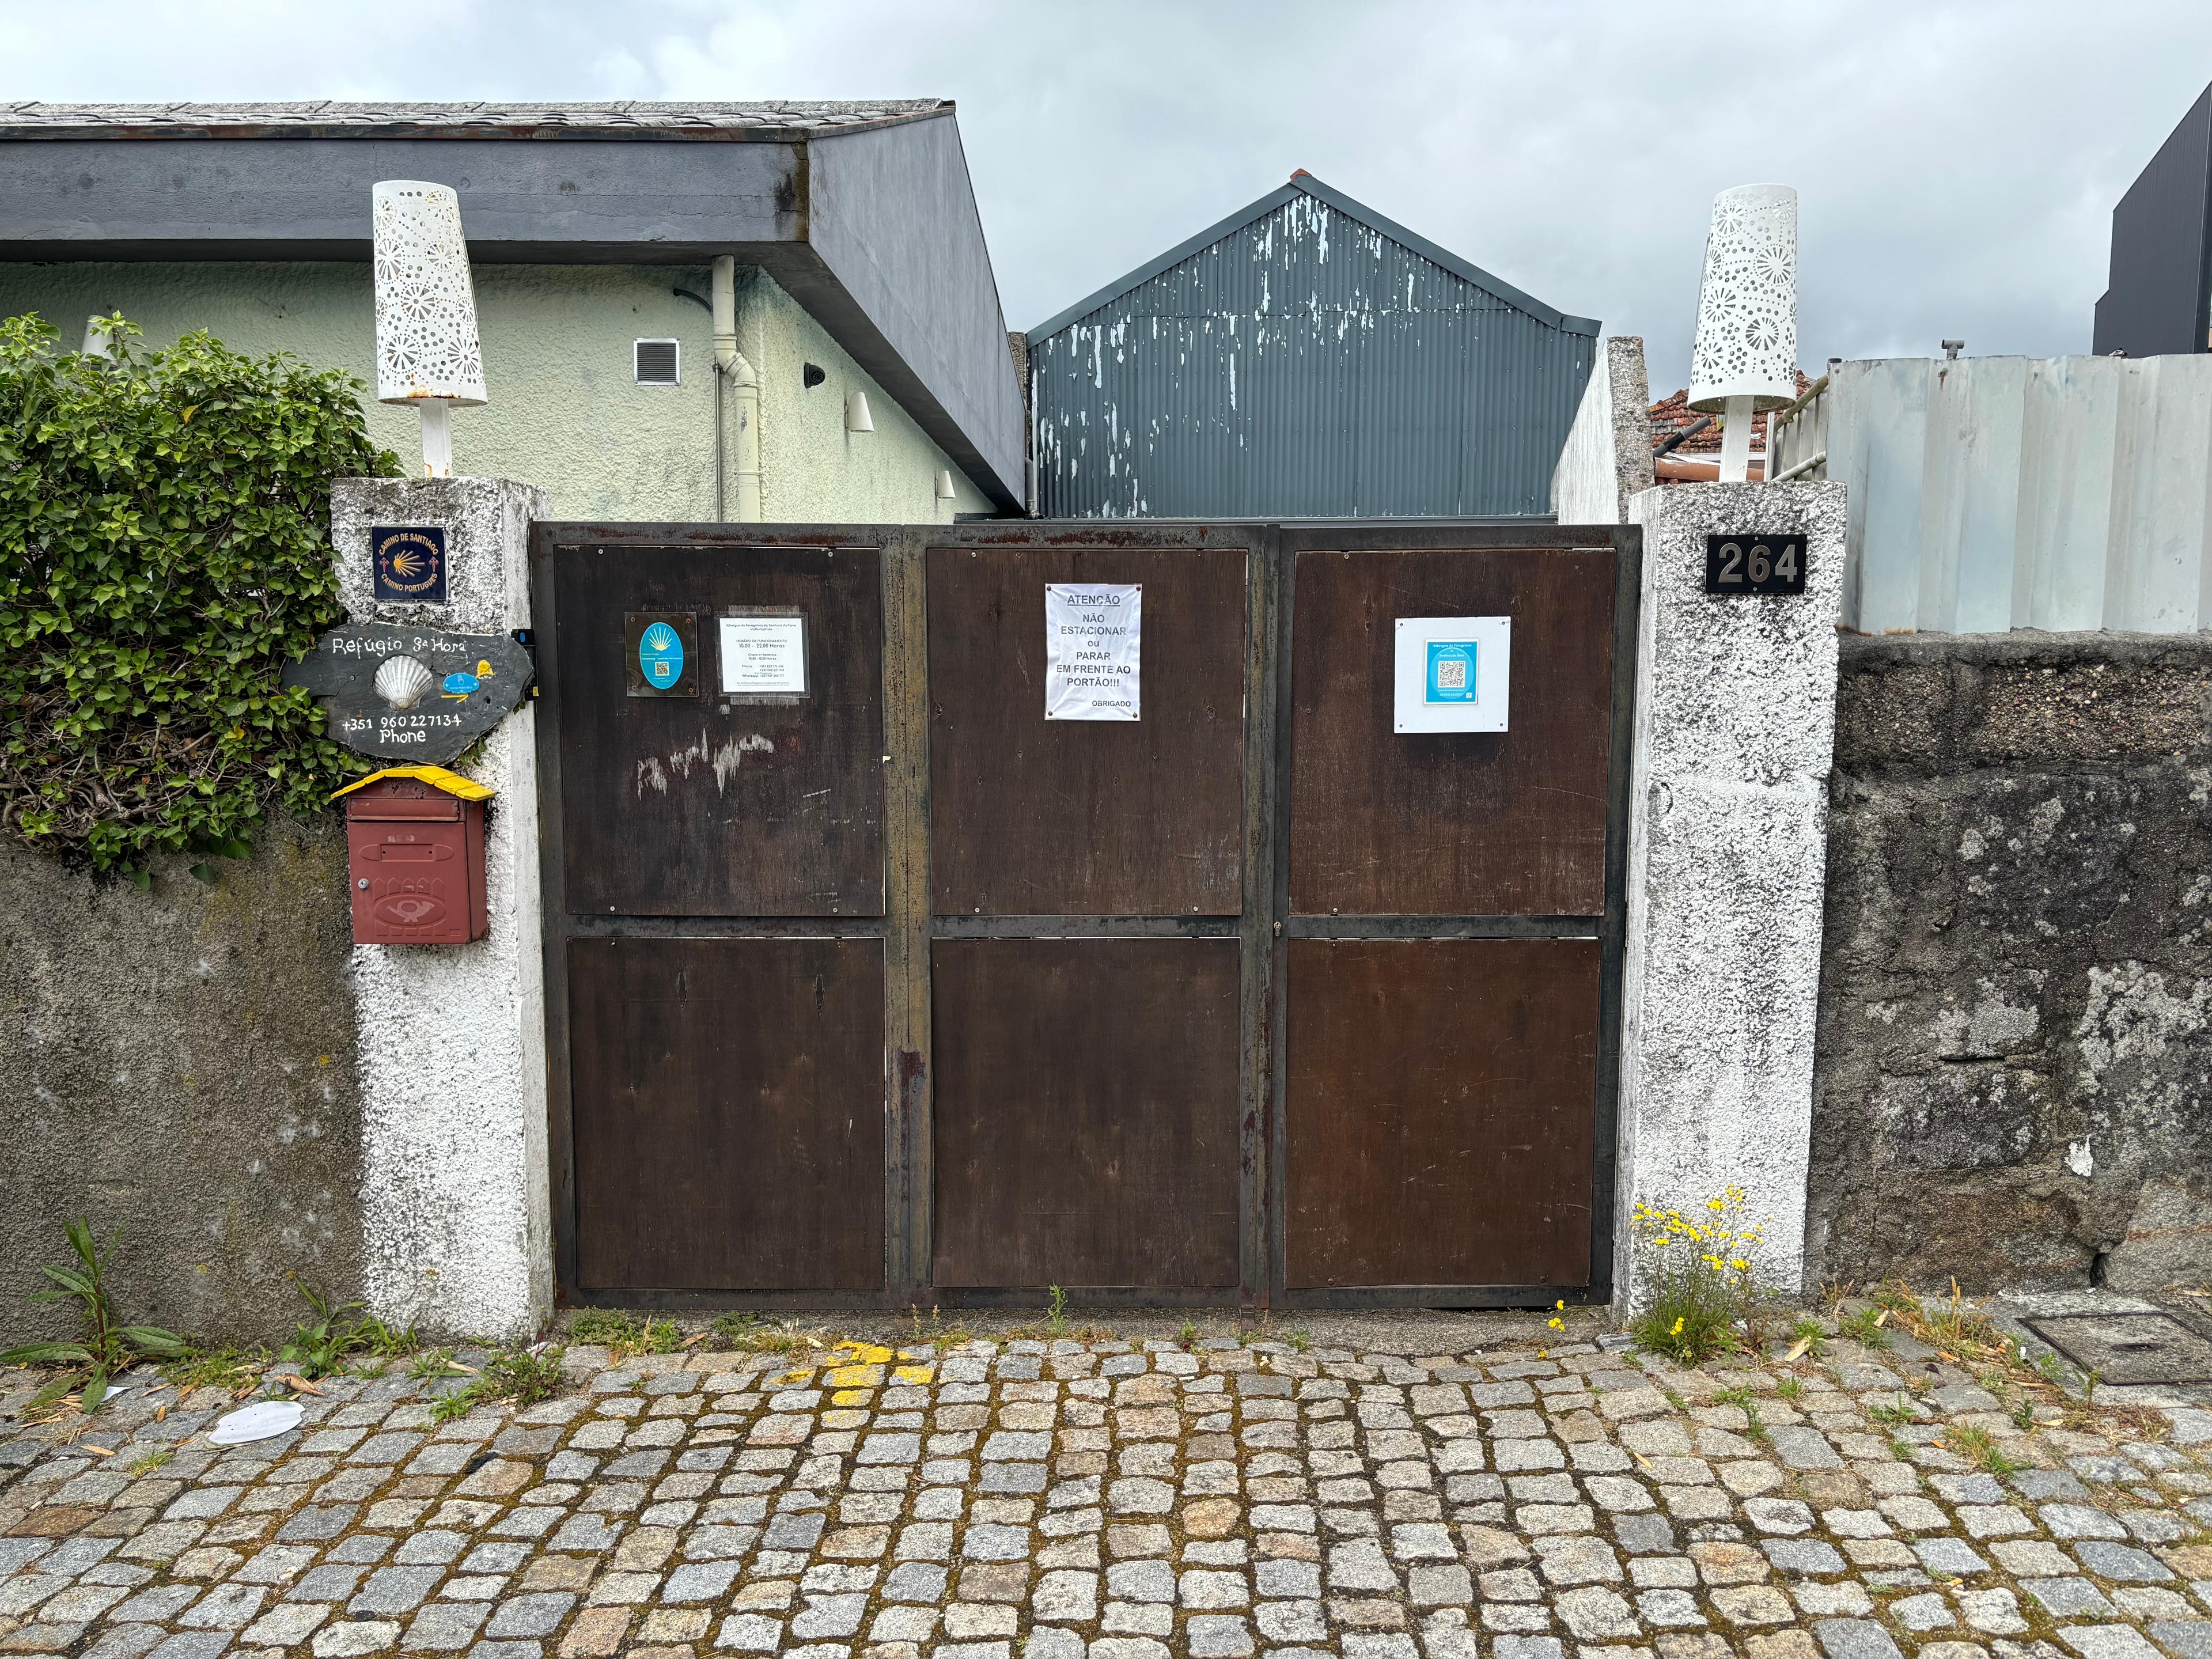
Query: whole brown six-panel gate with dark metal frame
x=895, y=992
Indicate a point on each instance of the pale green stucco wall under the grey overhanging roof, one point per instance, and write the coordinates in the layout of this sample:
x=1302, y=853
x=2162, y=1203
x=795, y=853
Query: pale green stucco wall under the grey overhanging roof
x=565, y=408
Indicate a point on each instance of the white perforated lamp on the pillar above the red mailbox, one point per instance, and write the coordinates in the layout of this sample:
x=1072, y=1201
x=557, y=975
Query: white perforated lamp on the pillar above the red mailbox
x=426, y=313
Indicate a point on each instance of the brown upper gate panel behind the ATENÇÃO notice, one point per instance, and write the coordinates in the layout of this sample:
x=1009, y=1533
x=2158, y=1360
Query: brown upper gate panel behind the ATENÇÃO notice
x=1036, y=817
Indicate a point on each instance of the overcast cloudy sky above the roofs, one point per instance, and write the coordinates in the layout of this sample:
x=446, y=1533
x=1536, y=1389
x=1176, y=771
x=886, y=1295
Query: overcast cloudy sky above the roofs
x=1957, y=163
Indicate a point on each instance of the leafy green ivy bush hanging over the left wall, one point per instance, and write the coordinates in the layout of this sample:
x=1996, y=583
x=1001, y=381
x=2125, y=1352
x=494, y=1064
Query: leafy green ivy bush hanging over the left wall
x=165, y=554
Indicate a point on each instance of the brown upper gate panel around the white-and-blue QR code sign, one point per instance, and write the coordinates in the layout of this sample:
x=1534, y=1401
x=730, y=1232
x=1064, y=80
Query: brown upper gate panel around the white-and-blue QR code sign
x=1463, y=824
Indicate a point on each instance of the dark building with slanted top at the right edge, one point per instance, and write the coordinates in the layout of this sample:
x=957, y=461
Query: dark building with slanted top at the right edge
x=2160, y=291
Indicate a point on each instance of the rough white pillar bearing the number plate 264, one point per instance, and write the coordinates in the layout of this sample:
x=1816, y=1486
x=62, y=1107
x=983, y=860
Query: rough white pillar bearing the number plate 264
x=1726, y=866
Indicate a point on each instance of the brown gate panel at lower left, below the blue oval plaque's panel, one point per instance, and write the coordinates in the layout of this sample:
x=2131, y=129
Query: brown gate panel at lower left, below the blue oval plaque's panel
x=727, y=1114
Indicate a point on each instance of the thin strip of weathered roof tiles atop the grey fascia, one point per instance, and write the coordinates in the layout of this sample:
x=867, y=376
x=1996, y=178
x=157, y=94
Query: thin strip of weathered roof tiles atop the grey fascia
x=762, y=121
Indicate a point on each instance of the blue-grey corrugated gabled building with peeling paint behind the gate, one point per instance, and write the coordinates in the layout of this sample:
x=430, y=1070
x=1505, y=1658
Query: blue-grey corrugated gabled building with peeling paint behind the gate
x=1304, y=359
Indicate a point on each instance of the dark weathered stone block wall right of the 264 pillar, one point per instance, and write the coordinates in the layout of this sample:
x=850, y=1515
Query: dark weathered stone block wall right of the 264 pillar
x=2016, y=994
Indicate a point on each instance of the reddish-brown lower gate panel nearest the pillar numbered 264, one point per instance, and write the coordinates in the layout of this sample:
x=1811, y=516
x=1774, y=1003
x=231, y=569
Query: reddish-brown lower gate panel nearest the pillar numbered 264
x=1441, y=1112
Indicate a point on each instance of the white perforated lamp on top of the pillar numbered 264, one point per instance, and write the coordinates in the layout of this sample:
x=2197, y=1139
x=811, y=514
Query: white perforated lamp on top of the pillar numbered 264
x=1746, y=317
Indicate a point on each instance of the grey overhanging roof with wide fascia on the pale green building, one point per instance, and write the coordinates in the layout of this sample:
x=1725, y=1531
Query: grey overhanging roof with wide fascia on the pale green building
x=864, y=213
